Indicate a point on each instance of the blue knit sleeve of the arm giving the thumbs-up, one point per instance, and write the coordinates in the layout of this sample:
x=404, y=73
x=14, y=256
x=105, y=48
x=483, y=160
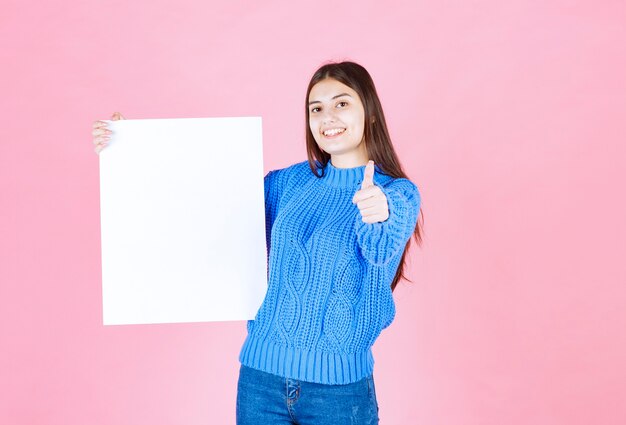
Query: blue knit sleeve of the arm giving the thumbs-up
x=380, y=242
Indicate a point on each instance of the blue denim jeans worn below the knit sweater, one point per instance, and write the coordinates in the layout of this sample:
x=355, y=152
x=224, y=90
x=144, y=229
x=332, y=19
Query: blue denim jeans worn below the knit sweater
x=268, y=399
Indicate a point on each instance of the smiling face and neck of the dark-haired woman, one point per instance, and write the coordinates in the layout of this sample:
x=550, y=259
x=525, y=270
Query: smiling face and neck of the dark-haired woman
x=336, y=119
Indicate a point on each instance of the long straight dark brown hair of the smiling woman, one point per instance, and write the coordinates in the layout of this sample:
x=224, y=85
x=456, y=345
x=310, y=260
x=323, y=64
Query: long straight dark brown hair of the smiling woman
x=376, y=136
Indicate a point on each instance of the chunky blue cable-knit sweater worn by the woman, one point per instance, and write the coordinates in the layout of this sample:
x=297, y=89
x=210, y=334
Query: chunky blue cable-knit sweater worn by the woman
x=329, y=293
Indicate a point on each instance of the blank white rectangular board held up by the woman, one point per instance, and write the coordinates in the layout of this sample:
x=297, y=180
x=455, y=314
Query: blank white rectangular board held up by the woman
x=182, y=220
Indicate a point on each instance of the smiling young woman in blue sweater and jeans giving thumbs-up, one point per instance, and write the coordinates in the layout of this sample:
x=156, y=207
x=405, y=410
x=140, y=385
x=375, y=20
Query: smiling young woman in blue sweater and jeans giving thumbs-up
x=338, y=226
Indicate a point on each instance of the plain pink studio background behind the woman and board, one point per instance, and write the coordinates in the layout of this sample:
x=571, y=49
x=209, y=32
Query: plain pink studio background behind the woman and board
x=510, y=116
